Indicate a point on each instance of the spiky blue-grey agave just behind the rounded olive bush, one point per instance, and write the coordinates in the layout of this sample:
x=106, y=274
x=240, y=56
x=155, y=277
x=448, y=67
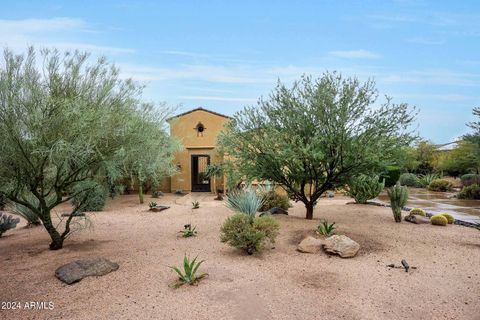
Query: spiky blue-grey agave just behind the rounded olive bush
x=246, y=201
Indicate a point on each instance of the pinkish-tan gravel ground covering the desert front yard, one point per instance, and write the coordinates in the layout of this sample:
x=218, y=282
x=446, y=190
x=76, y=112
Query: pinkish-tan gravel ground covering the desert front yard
x=281, y=283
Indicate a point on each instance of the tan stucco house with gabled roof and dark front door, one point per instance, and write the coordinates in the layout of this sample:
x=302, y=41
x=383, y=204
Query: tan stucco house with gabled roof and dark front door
x=197, y=130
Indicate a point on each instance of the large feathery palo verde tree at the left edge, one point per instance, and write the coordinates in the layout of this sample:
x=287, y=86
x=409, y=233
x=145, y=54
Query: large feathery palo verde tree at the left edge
x=65, y=125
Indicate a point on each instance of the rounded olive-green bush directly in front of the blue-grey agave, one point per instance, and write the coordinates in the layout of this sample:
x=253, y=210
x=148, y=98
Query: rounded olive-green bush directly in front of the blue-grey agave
x=249, y=234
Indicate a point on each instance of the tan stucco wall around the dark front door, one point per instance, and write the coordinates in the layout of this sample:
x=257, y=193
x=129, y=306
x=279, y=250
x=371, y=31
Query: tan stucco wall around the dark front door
x=183, y=128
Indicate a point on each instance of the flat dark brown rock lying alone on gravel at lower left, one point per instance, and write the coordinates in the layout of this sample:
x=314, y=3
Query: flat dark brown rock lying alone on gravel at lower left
x=75, y=271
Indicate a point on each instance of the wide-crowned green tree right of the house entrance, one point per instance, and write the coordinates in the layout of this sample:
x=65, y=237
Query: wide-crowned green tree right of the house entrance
x=316, y=135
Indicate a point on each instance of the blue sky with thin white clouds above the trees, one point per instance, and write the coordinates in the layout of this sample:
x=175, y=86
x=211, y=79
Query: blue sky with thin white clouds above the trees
x=224, y=55
